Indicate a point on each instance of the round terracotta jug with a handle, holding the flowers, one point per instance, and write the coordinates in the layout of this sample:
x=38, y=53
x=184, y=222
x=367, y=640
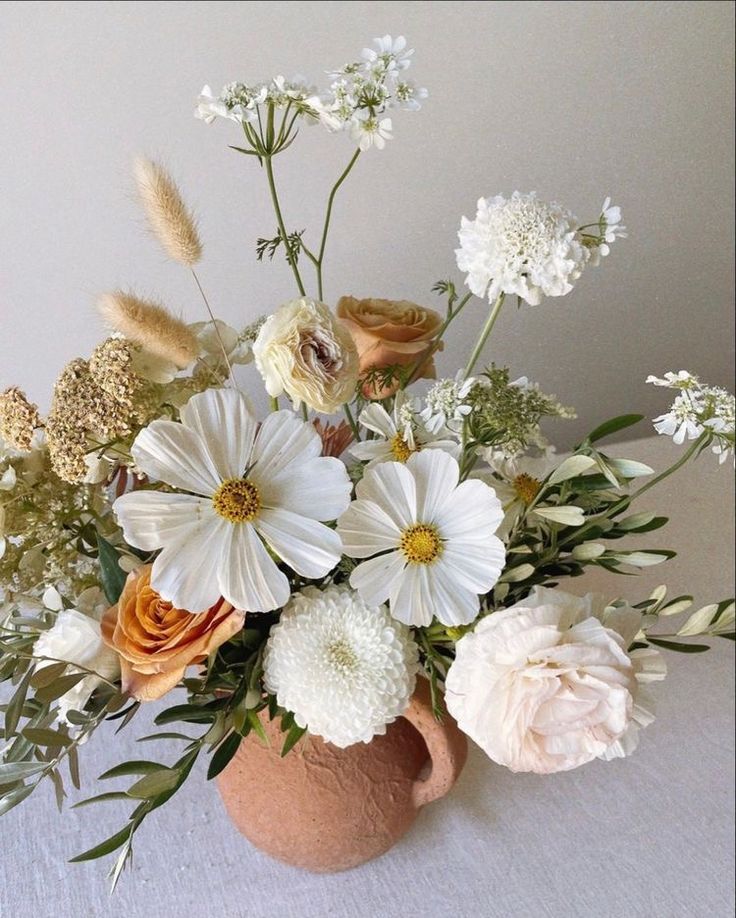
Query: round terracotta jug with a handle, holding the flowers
x=328, y=809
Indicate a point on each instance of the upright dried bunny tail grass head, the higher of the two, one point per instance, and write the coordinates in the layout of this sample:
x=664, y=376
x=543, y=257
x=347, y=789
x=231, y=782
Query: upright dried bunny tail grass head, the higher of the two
x=170, y=219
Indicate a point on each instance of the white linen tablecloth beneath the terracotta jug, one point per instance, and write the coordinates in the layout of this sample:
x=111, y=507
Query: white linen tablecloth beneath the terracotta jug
x=649, y=836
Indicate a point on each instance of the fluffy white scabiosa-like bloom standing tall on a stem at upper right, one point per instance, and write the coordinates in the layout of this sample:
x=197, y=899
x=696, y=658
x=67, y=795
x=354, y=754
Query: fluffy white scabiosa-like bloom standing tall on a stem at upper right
x=520, y=246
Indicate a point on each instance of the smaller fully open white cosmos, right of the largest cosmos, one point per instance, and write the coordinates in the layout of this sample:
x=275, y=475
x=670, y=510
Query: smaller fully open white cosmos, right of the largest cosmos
x=430, y=540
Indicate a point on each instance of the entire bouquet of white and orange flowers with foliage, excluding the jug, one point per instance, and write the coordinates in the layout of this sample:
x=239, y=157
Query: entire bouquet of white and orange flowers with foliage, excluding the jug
x=157, y=533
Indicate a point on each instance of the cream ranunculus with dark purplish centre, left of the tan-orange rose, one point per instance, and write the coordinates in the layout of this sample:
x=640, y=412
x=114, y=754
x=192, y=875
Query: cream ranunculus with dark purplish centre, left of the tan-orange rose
x=303, y=351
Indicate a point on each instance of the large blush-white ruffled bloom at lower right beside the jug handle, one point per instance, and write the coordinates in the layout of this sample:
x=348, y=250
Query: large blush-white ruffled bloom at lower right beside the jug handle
x=548, y=684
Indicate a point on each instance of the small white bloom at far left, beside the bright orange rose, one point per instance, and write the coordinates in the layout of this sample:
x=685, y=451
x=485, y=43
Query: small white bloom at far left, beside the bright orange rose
x=76, y=639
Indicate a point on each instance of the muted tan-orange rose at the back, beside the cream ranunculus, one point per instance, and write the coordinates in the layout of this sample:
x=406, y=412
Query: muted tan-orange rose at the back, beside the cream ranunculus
x=390, y=333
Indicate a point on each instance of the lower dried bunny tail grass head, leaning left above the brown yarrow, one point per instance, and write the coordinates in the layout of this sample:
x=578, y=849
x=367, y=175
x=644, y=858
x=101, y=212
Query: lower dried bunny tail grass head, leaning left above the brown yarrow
x=151, y=326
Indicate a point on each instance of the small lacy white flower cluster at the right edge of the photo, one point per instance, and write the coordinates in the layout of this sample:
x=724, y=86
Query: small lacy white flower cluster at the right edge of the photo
x=697, y=409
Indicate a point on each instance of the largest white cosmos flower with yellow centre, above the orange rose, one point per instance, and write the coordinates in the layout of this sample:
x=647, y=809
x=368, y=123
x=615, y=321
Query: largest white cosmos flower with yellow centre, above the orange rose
x=243, y=486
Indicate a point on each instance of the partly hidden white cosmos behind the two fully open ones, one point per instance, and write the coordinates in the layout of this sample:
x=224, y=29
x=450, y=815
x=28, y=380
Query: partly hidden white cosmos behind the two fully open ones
x=400, y=434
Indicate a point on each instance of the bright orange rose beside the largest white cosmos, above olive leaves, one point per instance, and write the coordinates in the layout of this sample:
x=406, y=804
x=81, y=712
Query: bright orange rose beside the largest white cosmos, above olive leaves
x=156, y=642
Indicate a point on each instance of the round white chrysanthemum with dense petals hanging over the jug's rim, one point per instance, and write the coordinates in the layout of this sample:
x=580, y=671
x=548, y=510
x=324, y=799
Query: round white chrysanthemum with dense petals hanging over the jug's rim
x=344, y=668
